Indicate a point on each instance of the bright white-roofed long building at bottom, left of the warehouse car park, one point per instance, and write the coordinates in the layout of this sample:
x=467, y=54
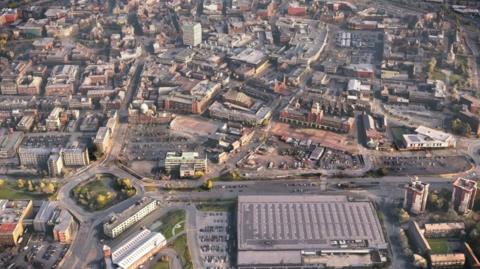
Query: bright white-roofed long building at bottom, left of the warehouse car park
x=137, y=249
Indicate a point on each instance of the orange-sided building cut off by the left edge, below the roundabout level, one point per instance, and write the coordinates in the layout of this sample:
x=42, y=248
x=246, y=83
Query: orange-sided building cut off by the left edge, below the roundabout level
x=12, y=215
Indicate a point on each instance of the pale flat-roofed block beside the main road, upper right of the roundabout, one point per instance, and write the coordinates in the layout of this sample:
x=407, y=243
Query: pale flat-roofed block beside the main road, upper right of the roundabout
x=186, y=163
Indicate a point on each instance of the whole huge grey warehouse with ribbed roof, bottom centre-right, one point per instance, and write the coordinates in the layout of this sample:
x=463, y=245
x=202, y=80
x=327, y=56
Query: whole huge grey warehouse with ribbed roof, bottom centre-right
x=284, y=232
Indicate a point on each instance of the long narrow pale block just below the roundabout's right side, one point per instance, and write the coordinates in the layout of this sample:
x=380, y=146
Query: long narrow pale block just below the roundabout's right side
x=118, y=223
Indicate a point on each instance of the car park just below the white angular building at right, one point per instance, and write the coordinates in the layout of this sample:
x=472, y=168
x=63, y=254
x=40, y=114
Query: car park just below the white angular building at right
x=422, y=165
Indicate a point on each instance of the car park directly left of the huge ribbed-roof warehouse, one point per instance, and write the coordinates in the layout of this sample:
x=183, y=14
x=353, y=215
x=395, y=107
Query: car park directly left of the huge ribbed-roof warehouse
x=215, y=237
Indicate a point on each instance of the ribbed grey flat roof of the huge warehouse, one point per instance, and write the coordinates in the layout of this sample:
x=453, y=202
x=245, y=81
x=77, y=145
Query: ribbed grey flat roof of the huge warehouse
x=307, y=222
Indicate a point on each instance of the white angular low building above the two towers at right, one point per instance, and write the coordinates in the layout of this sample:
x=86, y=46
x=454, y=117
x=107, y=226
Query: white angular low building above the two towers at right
x=428, y=138
